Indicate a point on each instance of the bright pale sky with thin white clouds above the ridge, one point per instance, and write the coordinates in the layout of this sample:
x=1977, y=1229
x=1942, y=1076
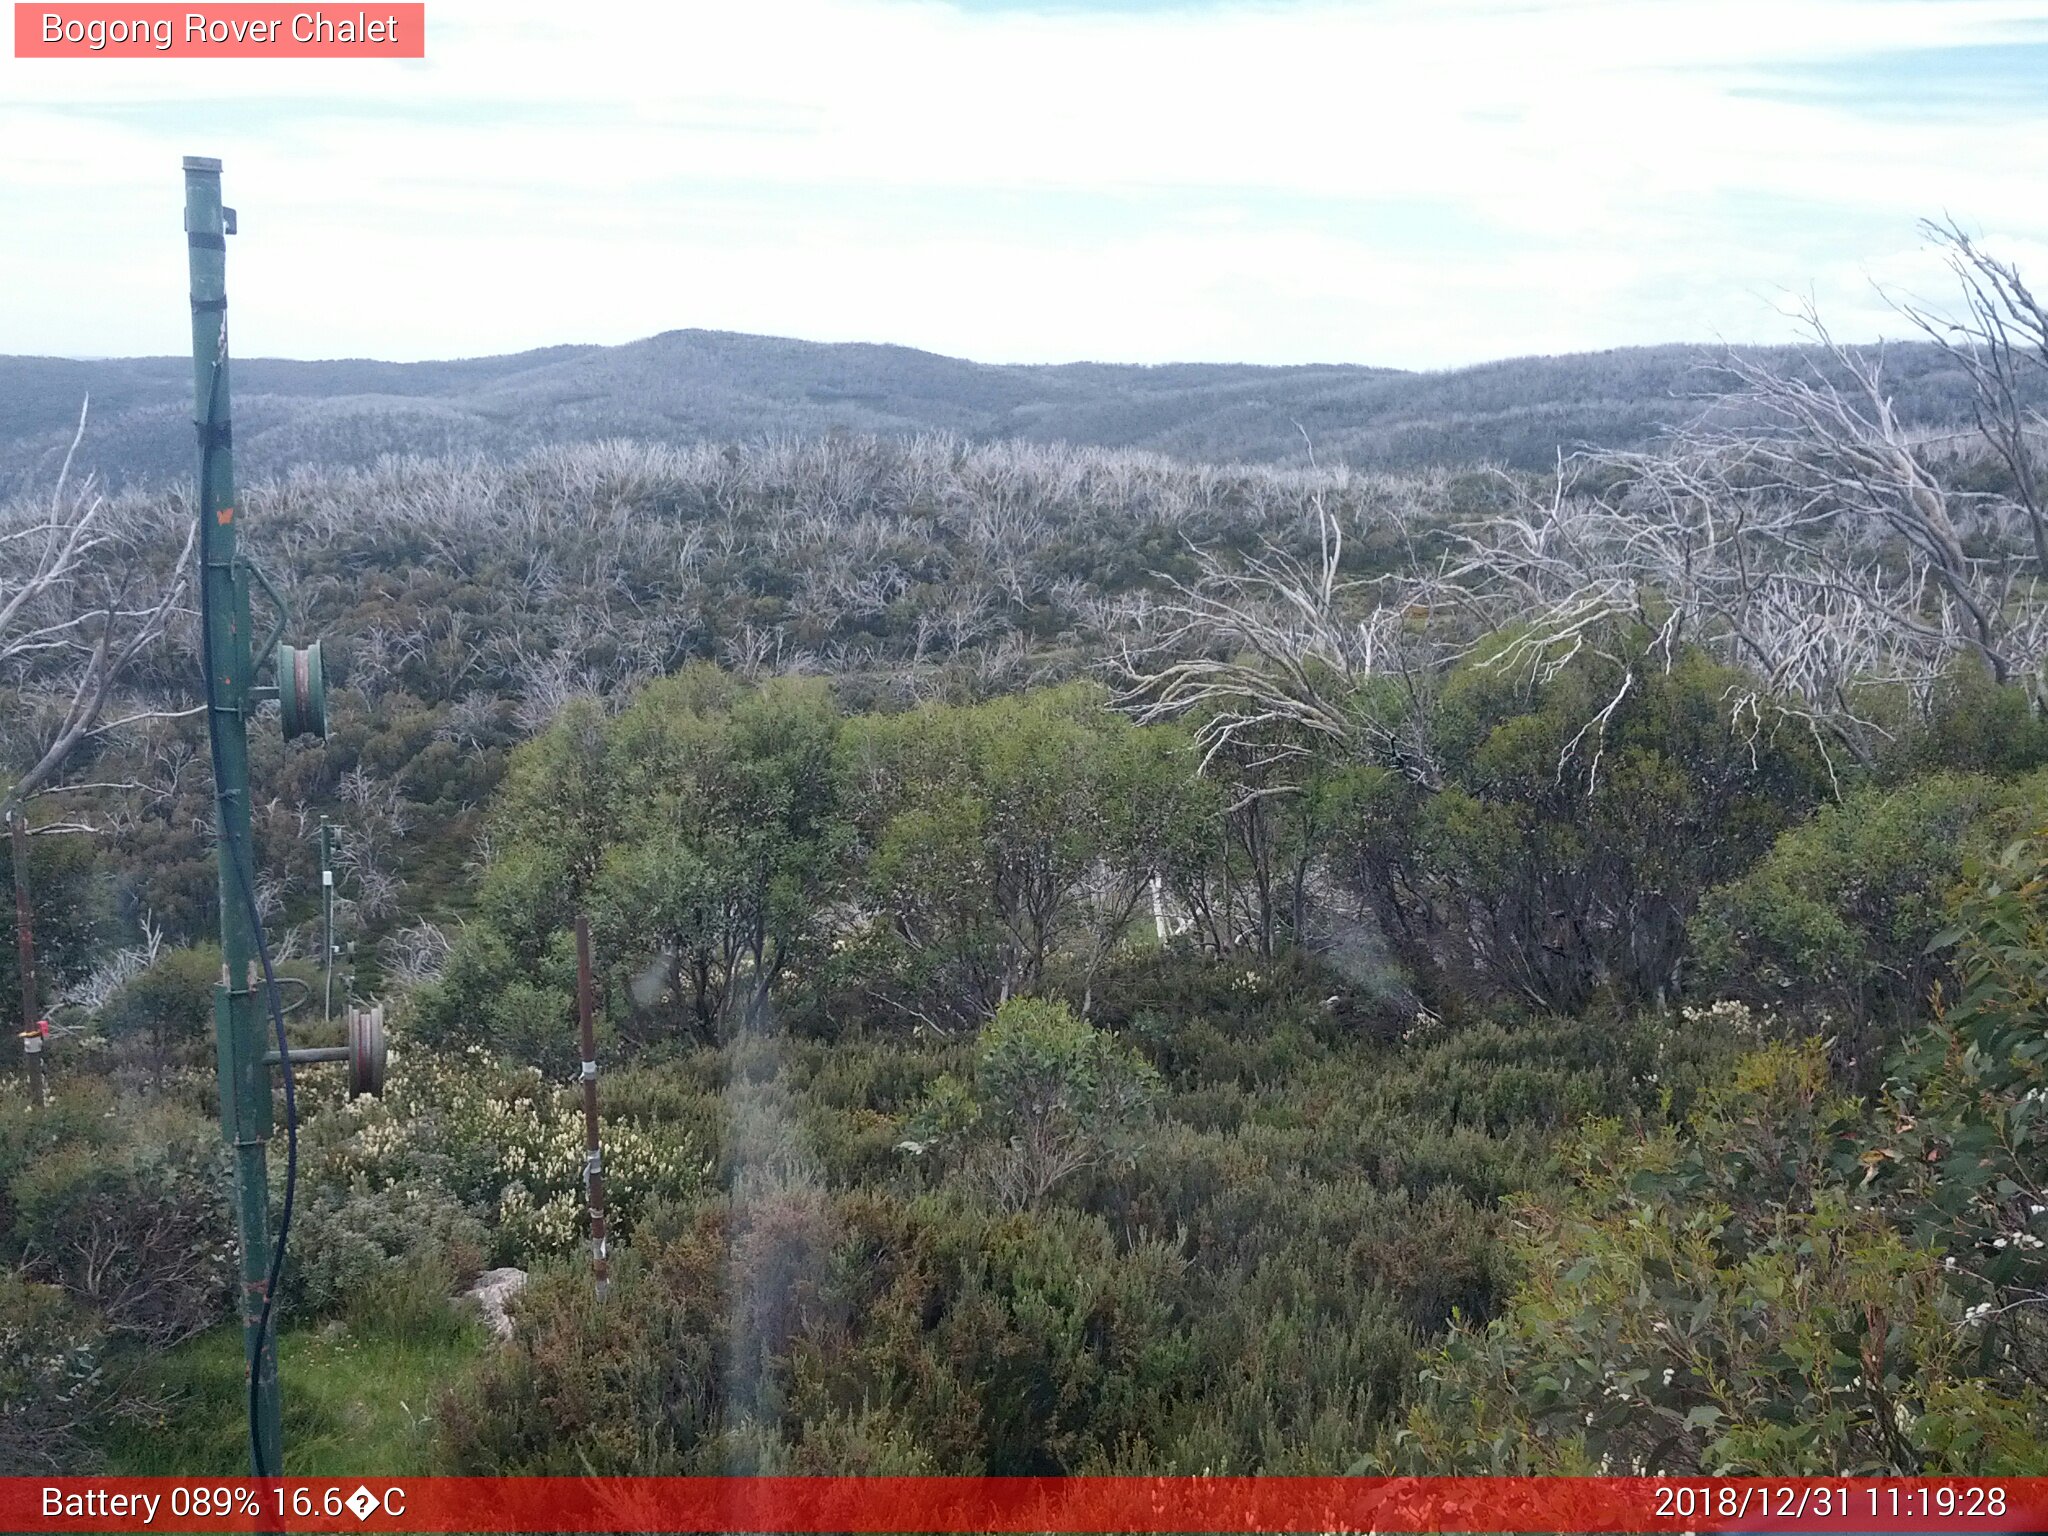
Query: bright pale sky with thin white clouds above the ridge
x=1400, y=183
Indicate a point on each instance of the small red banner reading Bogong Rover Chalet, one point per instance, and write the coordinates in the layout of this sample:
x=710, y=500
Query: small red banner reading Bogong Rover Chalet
x=220, y=32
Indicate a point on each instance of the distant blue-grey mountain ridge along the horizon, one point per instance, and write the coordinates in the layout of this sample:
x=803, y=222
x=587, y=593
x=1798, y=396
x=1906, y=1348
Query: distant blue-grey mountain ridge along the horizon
x=724, y=386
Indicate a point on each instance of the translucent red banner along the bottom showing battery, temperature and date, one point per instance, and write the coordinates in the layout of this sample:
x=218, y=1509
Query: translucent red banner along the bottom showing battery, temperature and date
x=1023, y=1504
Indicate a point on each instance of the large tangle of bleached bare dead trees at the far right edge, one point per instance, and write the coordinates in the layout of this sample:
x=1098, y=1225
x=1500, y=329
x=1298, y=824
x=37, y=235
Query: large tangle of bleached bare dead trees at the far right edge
x=1801, y=531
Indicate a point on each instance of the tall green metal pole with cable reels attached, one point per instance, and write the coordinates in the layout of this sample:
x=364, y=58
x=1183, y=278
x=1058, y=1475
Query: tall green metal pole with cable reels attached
x=237, y=1023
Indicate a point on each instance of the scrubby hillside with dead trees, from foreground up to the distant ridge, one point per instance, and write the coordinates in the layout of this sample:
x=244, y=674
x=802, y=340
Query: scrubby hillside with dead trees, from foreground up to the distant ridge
x=1105, y=964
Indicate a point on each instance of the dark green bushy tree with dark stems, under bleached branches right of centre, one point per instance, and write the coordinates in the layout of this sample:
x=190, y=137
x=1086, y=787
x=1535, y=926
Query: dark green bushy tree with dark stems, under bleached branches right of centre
x=1572, y=843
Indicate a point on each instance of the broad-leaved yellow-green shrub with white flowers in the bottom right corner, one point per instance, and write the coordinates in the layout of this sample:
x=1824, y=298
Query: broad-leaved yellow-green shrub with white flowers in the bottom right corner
x=1795, y=1285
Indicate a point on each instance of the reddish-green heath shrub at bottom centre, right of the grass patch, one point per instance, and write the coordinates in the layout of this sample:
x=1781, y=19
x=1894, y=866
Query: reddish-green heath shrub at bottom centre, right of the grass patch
x=755, y=1336
